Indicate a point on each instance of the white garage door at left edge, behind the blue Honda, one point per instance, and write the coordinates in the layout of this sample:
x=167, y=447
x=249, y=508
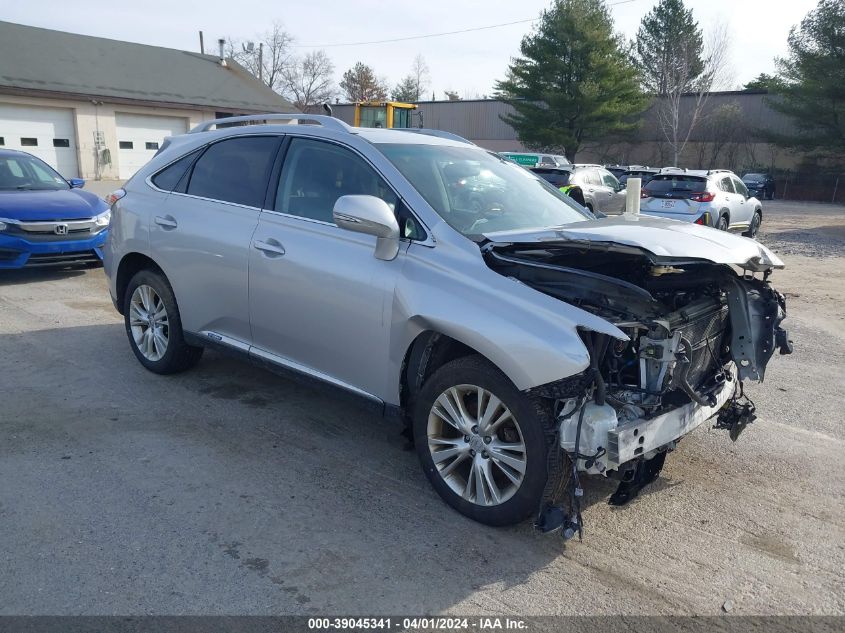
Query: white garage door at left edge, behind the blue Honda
x=48, y=133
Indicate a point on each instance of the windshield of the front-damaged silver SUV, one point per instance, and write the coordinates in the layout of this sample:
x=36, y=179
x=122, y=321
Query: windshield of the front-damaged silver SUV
x=477, y=192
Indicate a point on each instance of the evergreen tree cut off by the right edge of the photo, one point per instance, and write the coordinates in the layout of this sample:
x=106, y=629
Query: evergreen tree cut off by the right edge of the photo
x=811, y=85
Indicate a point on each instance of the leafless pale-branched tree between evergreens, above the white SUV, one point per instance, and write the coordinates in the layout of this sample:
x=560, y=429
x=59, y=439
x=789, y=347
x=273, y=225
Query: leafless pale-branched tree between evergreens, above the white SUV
x=678, y=111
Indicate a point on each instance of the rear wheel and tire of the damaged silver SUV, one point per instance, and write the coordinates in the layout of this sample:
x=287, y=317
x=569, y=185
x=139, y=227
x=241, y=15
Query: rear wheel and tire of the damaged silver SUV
x=154, y=327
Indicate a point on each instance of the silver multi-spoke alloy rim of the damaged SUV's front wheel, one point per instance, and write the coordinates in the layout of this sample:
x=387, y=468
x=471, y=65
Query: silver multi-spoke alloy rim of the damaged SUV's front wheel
x=476, y=445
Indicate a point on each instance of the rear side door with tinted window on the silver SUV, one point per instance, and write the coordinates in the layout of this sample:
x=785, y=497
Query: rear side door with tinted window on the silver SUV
x=200, y=237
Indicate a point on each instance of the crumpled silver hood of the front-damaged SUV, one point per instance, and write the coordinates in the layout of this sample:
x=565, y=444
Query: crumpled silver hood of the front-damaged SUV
x=669, y=239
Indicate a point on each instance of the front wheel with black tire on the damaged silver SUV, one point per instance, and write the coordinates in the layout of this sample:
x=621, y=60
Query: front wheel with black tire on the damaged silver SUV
x=482, y=444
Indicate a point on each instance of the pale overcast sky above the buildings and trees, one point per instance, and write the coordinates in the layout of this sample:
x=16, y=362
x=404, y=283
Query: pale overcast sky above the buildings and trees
x=469, y=63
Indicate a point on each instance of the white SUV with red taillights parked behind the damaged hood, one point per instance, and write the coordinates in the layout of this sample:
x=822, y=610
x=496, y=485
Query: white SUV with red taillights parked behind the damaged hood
x=716, y=198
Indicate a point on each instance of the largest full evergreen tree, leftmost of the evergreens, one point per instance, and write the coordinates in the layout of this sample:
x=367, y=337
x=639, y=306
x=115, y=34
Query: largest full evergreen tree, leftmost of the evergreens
x=573, y=83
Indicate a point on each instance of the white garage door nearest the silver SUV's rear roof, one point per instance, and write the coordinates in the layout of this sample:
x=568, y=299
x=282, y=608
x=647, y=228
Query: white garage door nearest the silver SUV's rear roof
x=139, y=136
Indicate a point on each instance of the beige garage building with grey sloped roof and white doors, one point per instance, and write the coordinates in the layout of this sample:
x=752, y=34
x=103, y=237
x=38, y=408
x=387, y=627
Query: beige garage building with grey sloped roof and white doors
x=99, y=108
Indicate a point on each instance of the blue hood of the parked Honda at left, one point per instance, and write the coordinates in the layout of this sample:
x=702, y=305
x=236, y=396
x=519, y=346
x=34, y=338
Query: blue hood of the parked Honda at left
x=49, y=206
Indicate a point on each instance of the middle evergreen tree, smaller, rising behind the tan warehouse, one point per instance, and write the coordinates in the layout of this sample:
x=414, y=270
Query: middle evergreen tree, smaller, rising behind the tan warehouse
x=668, y=48
